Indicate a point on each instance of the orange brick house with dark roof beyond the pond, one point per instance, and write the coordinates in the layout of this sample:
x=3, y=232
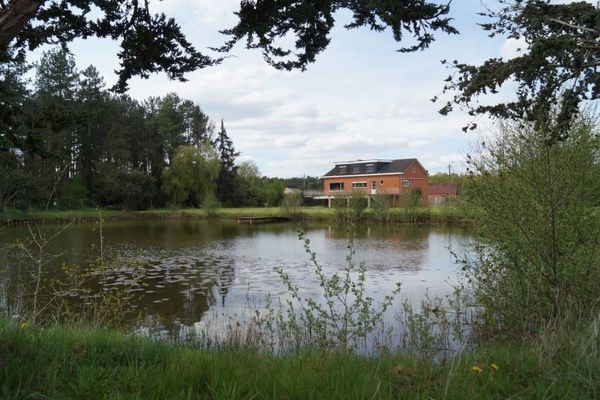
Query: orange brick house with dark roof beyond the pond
x=397, y=178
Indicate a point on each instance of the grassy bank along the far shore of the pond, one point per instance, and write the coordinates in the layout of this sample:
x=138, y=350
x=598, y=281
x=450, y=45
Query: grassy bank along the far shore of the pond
x=421, y=215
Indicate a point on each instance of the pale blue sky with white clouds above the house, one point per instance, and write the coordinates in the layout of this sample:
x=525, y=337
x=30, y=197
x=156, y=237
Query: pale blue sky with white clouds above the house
x=361, y=99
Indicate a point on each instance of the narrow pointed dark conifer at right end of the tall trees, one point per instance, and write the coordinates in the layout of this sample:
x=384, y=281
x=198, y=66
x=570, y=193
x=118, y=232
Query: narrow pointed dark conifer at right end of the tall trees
x=226, y=185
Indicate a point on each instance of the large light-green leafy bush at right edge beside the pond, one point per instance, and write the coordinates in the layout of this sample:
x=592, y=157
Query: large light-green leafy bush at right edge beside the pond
x=538, y=263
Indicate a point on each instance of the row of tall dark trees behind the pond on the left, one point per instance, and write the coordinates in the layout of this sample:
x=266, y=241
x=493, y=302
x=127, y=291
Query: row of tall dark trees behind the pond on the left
x=69, y=142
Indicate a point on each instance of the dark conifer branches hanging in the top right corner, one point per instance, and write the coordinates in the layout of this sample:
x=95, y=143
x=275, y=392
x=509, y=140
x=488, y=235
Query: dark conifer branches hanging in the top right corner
x=556, y=70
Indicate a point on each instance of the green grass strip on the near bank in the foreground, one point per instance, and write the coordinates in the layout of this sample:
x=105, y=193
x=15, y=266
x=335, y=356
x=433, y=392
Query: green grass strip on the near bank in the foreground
x=63, y=362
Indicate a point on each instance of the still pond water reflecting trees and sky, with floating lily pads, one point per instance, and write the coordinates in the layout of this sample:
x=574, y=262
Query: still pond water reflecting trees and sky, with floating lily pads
x=185, y=272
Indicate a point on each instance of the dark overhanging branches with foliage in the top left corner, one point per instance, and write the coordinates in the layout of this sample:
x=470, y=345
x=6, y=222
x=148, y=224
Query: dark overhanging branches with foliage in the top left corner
x=149, y=42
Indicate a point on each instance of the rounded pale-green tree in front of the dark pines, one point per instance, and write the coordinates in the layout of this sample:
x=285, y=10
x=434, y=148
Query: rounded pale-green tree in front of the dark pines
x=191, y=177
